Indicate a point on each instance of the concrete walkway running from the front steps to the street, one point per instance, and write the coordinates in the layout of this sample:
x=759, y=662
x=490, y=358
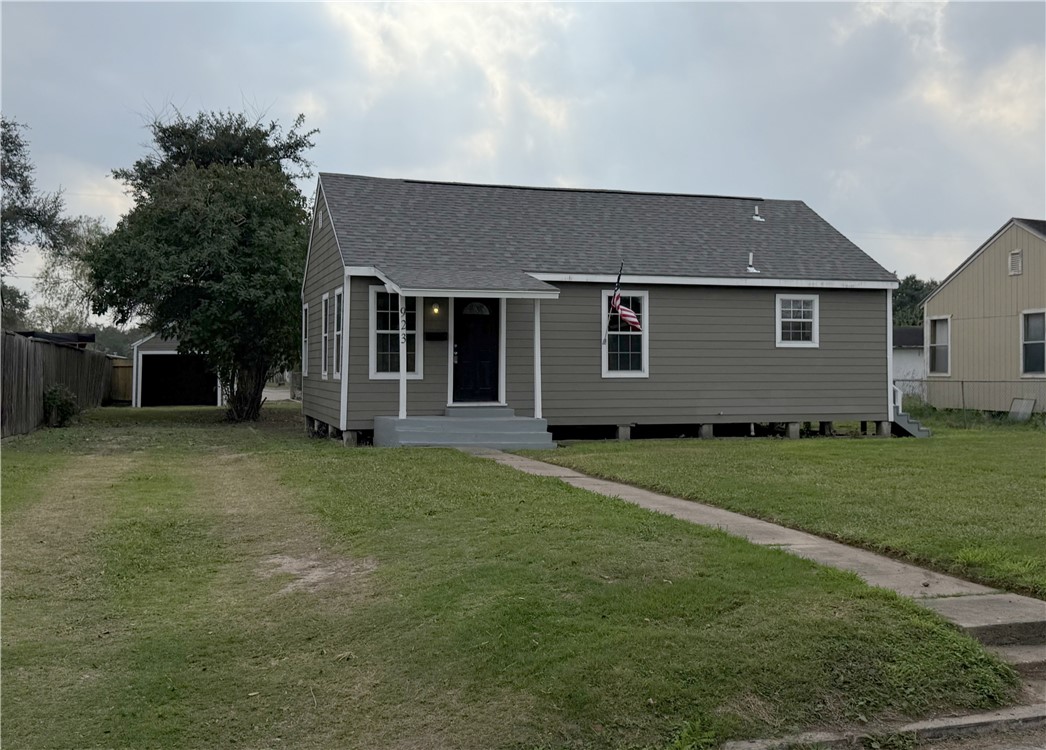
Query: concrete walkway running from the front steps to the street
x=1013, y=626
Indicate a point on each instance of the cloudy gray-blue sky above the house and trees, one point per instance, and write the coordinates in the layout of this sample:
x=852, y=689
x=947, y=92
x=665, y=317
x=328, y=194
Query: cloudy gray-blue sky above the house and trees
x=917, y=130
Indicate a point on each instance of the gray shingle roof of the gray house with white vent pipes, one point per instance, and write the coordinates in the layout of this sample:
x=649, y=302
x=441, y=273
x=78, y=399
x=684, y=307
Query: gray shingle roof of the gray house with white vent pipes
x=454, y=236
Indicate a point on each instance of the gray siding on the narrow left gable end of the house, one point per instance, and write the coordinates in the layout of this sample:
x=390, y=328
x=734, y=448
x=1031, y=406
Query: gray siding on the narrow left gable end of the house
x=325, y=272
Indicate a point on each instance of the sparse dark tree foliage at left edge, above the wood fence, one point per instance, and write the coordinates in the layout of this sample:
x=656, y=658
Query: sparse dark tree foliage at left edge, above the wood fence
x=27, y=216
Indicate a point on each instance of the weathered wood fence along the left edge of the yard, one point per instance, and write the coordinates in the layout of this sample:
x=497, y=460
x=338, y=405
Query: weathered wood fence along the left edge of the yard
x=31, y=368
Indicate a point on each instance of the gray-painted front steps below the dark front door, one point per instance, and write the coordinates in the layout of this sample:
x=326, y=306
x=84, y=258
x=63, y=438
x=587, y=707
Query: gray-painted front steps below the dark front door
x=488, y=426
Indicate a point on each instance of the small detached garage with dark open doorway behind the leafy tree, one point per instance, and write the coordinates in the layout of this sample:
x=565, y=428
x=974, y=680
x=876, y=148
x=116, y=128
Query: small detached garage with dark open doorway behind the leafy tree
x=163, y=377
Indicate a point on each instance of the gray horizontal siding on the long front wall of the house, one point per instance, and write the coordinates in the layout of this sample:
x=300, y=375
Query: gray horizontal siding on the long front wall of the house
x=714, y=359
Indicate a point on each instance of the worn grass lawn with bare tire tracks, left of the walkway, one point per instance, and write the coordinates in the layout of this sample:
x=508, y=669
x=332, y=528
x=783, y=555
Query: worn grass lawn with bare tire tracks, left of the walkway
x=170, y=581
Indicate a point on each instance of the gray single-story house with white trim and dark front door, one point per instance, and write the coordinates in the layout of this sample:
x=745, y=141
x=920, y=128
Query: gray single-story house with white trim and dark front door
x=449, y=313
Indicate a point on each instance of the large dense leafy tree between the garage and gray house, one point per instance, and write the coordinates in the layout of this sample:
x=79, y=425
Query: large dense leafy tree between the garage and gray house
x=213, y=252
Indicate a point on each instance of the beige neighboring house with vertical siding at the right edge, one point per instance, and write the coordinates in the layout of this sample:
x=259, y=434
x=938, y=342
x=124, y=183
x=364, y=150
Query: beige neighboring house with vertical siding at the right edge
x=986, y=324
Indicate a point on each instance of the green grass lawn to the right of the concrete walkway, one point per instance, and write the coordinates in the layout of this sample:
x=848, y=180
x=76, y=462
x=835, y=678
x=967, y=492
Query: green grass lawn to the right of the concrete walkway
x=967, y=502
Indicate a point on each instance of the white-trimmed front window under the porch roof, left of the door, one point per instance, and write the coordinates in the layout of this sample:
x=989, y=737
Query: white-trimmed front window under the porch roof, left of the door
x=385, y=335
